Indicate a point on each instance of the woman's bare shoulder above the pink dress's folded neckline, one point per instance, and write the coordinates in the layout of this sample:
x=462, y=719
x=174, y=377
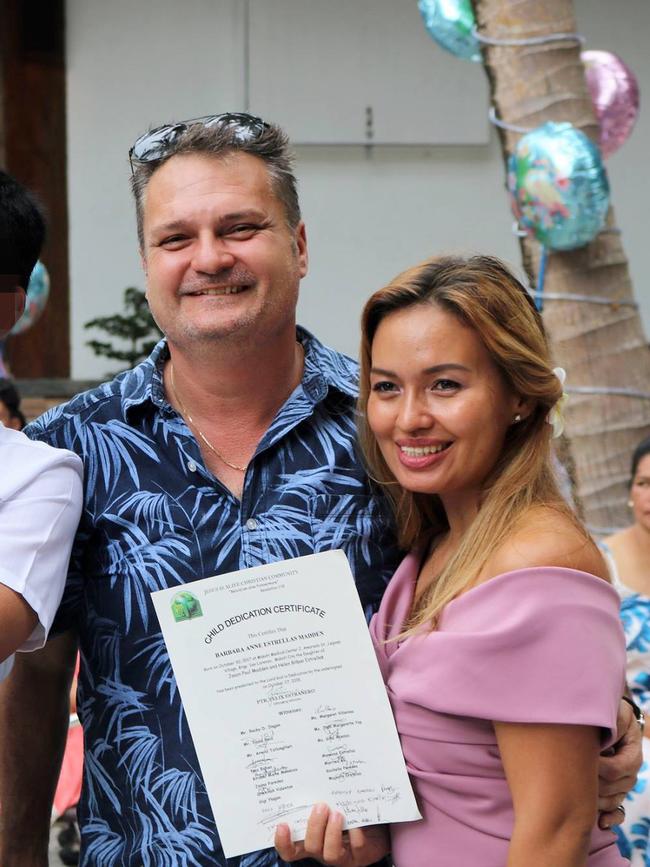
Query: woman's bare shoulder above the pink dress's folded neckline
x=546, y=537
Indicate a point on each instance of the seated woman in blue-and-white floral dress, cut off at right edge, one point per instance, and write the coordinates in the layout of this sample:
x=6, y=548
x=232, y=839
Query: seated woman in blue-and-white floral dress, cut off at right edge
x=628, y=555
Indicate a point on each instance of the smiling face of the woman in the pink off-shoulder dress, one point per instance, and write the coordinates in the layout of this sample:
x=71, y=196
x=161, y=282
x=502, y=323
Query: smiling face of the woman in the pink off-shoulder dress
x=438, y=405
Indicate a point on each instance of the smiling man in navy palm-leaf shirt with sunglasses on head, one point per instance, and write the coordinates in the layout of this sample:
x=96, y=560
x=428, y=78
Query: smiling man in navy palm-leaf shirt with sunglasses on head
x=232, y=446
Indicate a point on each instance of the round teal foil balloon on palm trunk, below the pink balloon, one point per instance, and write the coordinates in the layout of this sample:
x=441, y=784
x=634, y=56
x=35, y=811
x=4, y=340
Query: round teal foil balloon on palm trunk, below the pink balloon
x=558, y=186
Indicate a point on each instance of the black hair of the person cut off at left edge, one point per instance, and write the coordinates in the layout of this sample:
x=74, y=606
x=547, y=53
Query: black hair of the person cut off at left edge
x=22, y=229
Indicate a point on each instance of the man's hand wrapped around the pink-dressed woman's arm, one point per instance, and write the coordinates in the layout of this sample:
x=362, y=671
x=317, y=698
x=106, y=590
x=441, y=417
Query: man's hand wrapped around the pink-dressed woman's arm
x=618, y=767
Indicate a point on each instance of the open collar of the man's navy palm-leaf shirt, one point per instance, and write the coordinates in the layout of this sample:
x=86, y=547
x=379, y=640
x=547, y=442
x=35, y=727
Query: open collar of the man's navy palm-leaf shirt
x=324, y=369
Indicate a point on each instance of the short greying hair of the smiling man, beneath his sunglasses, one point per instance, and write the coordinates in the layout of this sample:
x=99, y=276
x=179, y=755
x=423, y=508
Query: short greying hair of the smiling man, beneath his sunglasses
x=271, y=145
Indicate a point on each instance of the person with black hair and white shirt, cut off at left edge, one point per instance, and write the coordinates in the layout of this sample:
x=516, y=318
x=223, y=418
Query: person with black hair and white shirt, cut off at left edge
x=40, y=487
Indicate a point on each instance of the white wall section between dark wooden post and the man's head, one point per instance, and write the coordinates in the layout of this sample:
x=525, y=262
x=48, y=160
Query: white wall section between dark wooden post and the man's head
x=131, y=64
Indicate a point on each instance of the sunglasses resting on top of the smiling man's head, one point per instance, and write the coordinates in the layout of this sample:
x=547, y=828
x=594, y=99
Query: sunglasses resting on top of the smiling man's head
x=156, y=144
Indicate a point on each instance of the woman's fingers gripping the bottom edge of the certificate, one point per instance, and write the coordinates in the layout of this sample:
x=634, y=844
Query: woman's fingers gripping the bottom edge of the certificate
x=326, y=841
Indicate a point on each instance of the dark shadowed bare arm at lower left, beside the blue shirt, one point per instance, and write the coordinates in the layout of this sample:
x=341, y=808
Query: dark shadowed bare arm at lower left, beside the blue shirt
x=34, y=716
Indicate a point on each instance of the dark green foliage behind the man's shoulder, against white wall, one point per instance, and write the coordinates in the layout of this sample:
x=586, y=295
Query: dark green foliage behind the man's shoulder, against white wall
x=135, y=330
